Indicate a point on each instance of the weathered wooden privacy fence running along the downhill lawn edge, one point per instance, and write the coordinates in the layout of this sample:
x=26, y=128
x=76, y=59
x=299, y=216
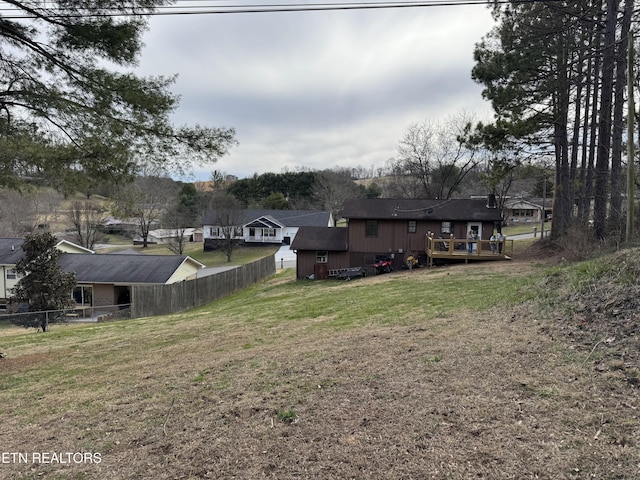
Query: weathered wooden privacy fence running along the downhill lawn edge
x=150, y=300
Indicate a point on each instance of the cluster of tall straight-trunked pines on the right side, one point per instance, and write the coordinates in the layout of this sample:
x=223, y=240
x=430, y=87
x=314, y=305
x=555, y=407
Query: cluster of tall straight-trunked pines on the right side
x=556, y=76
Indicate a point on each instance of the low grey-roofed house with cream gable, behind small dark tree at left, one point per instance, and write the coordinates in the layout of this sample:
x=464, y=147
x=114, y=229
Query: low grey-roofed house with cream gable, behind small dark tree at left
x=102, y=279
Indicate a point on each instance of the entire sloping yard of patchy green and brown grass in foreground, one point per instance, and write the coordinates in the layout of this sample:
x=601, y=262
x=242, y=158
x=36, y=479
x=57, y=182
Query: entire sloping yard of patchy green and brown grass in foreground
x=449, y=373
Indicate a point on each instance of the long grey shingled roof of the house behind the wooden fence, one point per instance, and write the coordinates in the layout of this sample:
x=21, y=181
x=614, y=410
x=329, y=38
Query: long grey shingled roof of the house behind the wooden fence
x=124, y=269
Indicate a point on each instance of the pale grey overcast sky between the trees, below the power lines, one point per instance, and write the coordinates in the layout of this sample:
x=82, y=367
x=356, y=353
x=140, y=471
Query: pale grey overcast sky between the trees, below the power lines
x=318, y=89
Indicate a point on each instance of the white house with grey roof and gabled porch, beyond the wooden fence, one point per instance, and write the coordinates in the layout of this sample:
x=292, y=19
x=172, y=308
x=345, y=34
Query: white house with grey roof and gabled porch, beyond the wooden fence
x=265, y=226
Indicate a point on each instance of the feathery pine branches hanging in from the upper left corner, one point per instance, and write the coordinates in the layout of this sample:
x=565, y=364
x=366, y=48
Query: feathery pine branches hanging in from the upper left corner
x=69, y=118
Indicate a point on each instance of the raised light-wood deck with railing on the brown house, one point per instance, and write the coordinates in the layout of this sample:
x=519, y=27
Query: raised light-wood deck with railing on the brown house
x=457, y=249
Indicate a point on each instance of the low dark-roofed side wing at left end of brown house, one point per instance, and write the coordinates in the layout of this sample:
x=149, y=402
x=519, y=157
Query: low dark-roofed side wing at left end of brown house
x=320, y=251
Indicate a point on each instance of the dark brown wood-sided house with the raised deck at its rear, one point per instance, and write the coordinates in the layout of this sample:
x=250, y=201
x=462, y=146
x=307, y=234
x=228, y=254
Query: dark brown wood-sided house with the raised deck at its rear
x=396, y=228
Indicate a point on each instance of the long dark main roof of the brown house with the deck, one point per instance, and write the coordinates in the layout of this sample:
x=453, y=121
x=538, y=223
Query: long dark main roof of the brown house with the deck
x=454, y=209
